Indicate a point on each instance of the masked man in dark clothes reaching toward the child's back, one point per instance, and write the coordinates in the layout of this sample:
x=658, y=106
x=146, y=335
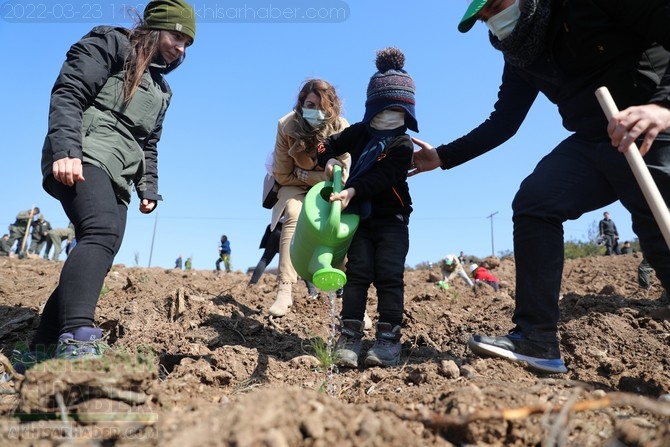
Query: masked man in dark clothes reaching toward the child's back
x=566, y=50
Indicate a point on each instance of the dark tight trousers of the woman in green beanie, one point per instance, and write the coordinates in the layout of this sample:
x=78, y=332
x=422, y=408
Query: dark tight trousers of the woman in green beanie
x=99, y=219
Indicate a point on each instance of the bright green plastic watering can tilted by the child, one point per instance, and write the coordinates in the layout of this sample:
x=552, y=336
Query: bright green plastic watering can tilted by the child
x=323, y=235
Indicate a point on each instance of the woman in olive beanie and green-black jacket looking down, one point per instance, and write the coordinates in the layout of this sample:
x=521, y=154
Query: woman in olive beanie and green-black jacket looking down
x=105, y=120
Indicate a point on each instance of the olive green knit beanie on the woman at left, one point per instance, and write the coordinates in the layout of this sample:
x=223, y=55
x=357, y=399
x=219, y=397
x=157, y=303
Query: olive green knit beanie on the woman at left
x=170, y=15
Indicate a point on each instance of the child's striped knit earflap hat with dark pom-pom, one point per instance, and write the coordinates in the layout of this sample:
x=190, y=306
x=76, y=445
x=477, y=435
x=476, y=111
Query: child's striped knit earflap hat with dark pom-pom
x=391, y=86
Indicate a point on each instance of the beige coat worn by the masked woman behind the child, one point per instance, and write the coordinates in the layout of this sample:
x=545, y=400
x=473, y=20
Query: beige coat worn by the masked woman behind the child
x=289, y=155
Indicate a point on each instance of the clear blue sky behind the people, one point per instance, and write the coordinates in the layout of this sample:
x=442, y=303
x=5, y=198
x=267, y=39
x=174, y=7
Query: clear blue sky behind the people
x=241, y=75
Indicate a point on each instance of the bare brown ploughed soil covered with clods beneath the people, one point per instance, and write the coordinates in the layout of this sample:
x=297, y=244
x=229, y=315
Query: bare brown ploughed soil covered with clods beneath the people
x=195, y=361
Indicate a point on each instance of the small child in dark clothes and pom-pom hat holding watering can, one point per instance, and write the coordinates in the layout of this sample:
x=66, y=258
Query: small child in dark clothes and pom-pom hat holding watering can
x=377, y=190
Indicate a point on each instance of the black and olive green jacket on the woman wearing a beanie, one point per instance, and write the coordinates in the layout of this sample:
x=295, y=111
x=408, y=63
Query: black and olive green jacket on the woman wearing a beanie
x=88, y=118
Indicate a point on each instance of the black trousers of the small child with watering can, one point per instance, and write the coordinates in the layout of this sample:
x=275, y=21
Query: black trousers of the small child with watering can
x=377, y=256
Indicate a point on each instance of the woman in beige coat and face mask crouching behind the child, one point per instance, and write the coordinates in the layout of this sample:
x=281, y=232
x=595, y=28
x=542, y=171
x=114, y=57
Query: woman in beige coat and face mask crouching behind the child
x=315, y=117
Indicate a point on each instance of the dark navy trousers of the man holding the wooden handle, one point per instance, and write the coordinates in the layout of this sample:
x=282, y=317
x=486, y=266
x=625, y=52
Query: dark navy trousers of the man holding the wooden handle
x=578, y=176
